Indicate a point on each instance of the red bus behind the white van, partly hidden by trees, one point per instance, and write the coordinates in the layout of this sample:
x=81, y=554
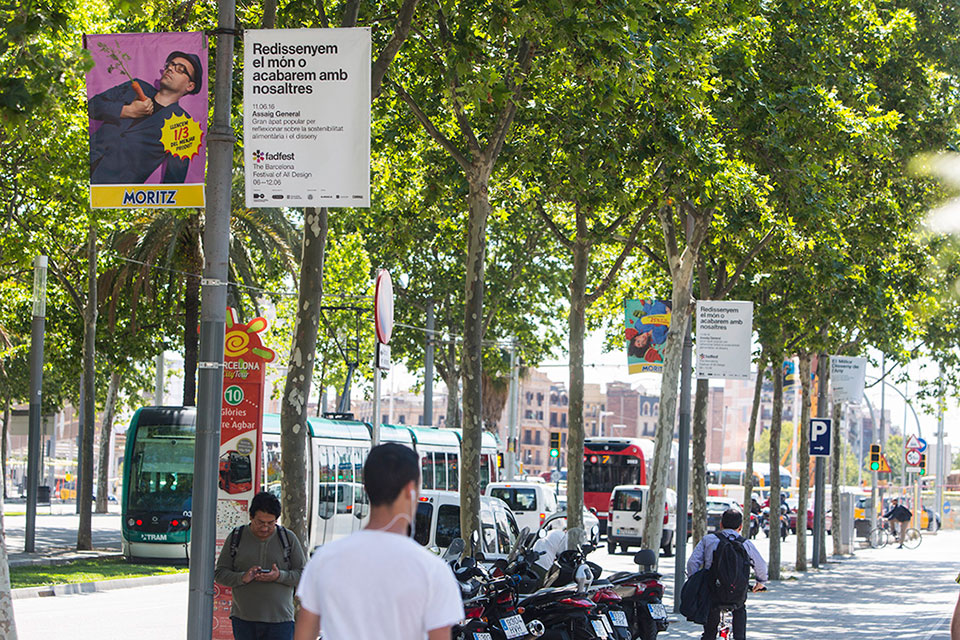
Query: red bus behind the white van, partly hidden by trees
x=608, y=462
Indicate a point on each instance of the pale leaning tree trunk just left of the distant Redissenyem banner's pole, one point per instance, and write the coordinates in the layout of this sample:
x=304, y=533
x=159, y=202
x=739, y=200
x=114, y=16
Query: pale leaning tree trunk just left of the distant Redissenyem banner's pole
x=666, y=420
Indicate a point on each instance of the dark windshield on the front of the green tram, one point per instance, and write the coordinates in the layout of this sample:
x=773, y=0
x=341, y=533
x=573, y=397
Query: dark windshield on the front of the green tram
x=162, y=468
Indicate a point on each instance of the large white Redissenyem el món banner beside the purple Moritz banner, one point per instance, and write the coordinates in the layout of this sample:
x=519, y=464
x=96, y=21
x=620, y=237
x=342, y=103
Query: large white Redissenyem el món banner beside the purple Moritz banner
x=306, y=117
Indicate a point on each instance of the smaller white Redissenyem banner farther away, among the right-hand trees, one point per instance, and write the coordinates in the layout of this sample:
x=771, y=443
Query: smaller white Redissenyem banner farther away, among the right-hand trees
x=724, y=332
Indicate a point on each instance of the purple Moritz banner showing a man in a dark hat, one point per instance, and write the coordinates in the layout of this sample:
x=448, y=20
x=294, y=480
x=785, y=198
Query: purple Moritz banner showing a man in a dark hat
x=147, y=109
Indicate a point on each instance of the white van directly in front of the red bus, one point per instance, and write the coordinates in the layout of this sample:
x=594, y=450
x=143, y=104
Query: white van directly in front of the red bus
x=628, y=510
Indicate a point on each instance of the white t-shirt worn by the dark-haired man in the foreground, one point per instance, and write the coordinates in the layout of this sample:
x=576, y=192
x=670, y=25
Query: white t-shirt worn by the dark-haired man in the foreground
x=374, y=585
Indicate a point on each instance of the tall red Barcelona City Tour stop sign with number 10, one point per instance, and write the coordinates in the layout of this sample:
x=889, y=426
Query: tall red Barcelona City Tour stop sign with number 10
x=241, y=434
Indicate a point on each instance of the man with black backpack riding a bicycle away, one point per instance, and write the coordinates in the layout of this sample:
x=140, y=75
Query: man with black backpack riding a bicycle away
x=730, y=557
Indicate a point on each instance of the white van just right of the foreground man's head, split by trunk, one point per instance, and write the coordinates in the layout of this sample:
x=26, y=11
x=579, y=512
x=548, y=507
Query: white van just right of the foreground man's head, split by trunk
x=438, y=523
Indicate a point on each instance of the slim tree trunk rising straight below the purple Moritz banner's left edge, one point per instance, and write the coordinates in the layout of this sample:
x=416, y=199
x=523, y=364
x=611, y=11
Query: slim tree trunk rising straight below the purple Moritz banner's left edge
x=84, y=540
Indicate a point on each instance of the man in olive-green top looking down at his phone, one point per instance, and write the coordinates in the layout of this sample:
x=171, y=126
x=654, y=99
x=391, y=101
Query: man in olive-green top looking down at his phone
x=261, y=562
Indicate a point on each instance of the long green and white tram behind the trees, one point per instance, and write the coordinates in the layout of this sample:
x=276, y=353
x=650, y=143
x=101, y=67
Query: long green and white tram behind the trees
x=158, y=475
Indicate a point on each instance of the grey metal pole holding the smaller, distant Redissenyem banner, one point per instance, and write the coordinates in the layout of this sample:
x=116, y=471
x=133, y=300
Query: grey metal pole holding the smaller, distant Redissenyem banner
x=683, y=466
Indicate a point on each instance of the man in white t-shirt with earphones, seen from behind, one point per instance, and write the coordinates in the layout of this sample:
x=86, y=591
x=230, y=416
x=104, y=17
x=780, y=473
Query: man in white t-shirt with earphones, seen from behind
x=378, y=583
